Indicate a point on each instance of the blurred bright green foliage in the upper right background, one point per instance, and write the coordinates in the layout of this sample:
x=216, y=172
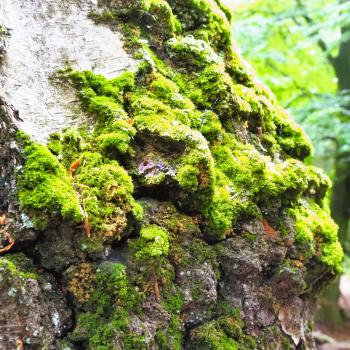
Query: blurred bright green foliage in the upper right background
x=293, y=48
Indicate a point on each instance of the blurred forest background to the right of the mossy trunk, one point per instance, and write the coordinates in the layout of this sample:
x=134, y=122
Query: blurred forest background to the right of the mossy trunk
x=301, y=50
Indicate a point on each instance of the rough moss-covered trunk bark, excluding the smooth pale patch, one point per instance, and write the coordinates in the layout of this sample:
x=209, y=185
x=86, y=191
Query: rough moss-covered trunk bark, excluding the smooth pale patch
x=185, y=220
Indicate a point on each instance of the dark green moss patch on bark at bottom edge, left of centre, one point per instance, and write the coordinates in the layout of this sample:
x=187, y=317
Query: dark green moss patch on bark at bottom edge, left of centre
x=108, y=311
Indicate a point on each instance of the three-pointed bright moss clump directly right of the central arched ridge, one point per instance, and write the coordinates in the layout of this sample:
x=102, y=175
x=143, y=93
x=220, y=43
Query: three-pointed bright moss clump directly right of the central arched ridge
x=245, y=178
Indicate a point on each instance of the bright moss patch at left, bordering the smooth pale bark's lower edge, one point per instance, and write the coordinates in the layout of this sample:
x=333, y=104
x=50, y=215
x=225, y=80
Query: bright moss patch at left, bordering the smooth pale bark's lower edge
x=100, y=190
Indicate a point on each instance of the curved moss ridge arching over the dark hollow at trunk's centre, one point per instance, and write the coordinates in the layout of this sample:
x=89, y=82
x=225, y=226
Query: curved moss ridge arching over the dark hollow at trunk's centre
x=159, y=110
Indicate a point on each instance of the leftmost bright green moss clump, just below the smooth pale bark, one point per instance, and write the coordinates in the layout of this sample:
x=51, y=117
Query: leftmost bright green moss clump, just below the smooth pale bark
x=45, y=188
